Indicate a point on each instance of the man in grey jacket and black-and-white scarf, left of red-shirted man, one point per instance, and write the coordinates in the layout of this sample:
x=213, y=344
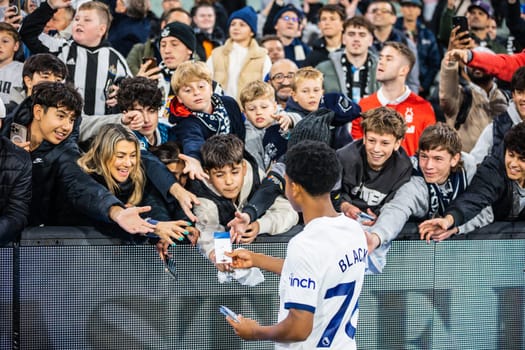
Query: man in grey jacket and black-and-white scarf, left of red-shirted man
x=352, y=71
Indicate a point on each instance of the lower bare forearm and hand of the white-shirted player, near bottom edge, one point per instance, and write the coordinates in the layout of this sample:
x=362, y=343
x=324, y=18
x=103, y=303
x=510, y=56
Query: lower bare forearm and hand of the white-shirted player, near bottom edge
x=297, y=326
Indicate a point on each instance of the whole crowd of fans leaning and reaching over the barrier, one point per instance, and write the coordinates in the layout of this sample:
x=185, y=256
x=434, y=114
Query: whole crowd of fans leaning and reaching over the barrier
x=170, y=129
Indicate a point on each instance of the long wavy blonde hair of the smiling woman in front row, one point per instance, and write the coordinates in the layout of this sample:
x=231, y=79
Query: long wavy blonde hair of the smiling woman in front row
x=96, y=160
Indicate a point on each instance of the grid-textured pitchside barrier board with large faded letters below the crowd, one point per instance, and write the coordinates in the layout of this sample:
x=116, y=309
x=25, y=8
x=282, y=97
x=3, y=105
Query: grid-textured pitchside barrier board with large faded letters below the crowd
x=72, y=288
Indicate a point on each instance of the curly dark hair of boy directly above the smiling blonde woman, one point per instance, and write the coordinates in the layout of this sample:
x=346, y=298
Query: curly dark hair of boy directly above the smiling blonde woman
x=141, y=90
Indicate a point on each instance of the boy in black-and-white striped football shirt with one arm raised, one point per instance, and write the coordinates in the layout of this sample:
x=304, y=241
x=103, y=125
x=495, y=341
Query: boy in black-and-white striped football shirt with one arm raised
x=90, y=26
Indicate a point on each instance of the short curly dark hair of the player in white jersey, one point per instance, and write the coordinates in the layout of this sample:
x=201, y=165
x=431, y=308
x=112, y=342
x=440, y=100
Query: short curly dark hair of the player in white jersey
x=314, y=166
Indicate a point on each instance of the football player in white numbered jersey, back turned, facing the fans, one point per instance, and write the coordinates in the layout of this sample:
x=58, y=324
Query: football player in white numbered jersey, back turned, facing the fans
x=322, y=274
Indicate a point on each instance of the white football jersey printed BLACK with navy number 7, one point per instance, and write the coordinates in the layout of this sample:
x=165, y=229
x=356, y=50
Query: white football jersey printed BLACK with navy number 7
x=323, y=273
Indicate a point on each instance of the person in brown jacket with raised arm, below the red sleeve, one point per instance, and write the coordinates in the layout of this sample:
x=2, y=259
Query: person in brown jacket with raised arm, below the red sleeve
x=471, y=107
